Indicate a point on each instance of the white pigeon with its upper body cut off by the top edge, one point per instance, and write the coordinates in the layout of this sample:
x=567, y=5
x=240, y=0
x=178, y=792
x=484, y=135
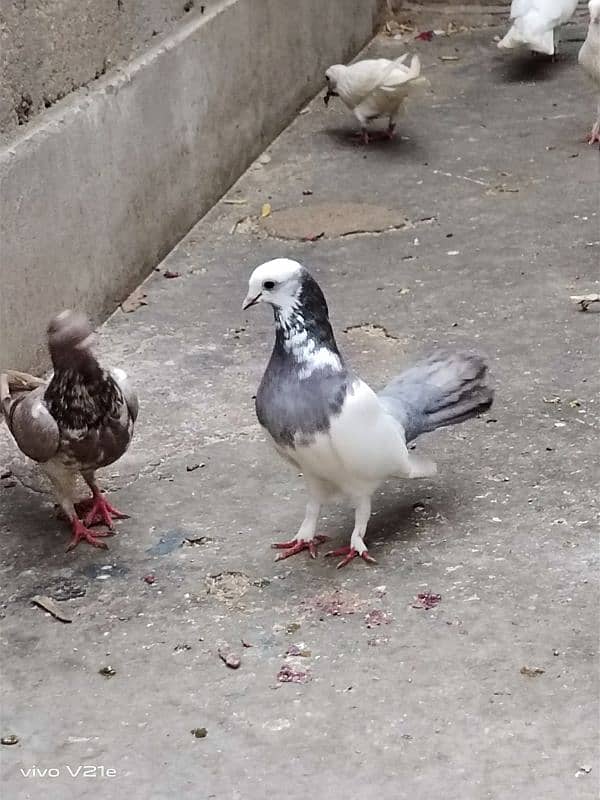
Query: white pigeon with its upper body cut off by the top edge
x=536, y=24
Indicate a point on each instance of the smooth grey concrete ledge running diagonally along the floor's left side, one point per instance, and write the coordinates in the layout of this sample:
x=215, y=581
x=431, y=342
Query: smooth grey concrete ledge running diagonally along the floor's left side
x=95, y=194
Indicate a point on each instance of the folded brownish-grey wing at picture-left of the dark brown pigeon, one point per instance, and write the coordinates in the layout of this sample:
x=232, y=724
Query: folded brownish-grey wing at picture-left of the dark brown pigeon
x=33, y=427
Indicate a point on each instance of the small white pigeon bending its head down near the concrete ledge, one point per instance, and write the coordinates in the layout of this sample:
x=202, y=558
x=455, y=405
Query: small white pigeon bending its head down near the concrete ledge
x=374, y=88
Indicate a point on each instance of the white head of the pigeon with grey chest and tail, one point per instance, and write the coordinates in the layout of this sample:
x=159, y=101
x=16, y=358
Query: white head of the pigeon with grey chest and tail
x=277, y=283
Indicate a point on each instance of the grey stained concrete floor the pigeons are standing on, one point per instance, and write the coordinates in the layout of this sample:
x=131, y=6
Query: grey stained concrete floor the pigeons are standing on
x=502, y=198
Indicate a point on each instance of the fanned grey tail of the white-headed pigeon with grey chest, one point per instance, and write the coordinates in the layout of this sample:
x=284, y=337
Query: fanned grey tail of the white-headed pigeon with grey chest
x=444, y=389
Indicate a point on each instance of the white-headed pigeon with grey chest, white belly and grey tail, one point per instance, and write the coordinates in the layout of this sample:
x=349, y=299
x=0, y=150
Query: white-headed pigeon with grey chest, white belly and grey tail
x=345, y=438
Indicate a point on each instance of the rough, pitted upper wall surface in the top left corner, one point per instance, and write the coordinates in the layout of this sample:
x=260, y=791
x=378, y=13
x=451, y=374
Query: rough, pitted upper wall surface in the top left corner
x=48, y=48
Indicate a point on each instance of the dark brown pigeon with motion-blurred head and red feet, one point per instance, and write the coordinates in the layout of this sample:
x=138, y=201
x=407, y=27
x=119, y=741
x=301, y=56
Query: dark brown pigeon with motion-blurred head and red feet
x=81, y=421
